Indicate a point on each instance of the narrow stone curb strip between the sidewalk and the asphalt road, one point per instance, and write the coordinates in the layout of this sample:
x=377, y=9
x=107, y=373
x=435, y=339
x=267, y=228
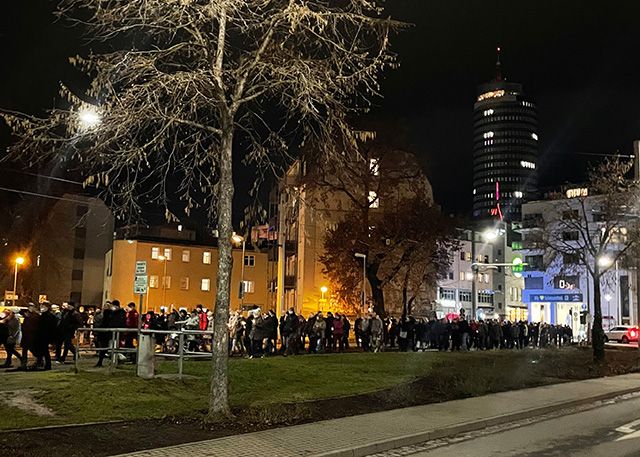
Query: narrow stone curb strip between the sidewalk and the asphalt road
x=428, y=435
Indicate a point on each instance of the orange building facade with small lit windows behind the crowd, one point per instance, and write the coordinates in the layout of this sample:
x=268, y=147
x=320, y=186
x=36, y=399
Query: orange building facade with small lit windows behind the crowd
x=182, y=275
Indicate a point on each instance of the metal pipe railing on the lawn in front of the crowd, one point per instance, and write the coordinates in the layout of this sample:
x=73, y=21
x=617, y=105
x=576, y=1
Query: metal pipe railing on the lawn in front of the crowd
x=176, y=344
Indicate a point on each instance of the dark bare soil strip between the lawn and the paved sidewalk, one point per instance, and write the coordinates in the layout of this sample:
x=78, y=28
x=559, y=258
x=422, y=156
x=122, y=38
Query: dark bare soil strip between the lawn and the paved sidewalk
x=449, y=381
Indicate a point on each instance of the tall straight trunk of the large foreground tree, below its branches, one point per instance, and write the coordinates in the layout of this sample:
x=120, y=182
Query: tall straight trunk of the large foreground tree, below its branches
x=219, y=389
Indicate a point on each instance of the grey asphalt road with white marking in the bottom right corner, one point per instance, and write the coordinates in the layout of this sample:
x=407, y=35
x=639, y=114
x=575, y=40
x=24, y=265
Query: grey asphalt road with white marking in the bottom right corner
x=611, y=429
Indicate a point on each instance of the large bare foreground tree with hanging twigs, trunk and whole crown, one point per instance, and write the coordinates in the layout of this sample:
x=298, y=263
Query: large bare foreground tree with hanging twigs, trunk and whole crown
x=187, y=87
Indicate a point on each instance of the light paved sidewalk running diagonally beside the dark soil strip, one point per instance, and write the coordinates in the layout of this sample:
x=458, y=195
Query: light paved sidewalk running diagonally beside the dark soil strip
x=370, y=433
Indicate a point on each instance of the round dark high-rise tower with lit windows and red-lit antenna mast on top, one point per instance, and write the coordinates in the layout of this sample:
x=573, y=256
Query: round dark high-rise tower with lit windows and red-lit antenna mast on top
x=505, y=149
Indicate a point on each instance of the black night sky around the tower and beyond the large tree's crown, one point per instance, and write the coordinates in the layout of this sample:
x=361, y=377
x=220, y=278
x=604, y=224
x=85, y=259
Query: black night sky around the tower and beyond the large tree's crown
x=579, y=60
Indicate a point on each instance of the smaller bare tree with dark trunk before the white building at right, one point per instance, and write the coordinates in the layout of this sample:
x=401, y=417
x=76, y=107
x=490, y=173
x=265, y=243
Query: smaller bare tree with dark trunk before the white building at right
x=592, y=233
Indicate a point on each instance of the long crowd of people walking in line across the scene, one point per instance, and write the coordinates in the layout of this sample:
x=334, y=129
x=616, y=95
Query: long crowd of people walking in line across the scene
x=39, y=329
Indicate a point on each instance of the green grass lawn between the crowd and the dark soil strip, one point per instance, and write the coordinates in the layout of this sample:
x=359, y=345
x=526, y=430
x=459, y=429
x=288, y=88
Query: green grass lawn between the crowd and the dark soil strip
x=97, y=396
